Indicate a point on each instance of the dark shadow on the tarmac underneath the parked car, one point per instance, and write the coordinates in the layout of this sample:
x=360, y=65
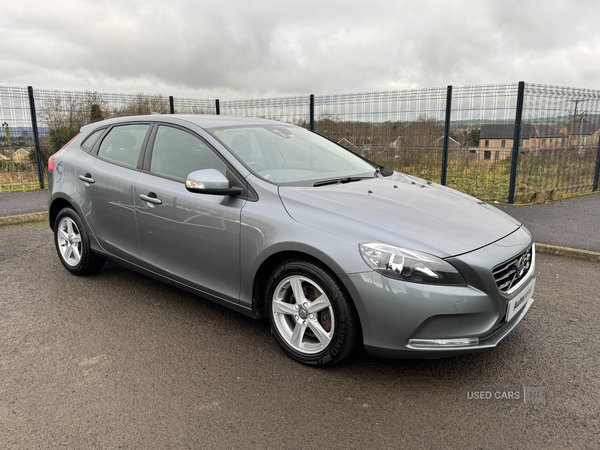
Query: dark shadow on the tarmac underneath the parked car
x=247, y=333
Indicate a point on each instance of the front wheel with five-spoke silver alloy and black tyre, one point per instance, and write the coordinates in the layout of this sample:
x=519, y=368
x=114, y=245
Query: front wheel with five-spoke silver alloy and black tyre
x=311, y=316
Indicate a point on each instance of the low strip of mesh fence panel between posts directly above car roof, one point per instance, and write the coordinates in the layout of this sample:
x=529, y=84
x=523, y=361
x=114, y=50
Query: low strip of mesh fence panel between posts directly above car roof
x=294, y=110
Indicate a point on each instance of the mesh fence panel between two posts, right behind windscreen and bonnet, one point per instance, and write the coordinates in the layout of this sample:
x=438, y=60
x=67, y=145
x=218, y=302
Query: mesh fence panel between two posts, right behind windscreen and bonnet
x=402, y=130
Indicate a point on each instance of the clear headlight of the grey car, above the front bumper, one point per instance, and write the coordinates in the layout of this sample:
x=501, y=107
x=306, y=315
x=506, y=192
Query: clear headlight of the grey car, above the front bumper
x=409, y=265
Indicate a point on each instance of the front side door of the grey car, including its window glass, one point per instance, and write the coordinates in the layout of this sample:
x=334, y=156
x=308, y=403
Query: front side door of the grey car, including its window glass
x=189, y=237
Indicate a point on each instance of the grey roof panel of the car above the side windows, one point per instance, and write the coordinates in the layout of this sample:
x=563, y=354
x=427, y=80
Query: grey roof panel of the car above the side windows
x=202, y=120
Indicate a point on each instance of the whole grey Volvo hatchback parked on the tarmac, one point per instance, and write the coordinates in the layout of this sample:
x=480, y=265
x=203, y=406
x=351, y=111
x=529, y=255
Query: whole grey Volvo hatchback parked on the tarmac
x=272, y=220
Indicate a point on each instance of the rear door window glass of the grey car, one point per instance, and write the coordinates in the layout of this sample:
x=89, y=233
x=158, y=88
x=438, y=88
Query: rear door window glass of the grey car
x=122, y=144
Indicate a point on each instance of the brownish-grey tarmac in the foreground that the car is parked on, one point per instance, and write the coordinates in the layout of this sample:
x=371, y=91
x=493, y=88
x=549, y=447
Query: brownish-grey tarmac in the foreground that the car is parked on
x=119, y=360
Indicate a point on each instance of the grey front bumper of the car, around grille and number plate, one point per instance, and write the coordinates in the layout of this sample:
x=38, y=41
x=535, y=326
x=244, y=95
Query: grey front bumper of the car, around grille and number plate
x=393, y=312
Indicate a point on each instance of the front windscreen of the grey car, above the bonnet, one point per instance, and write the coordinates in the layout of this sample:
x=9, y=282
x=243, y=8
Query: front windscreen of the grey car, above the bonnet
x=287, y=154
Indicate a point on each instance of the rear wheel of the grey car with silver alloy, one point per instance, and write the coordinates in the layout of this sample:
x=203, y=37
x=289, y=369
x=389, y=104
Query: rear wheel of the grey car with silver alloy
x=73, y=244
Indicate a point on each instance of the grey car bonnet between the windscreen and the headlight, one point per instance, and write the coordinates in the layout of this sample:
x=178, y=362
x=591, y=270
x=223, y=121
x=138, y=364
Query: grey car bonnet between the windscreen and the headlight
x=400, y=210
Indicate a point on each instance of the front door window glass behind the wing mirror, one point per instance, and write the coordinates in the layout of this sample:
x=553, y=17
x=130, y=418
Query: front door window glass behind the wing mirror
x=177, y=153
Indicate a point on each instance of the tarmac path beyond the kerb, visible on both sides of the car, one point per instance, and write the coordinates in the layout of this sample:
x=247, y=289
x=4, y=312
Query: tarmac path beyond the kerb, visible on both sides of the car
x=572, y=223
